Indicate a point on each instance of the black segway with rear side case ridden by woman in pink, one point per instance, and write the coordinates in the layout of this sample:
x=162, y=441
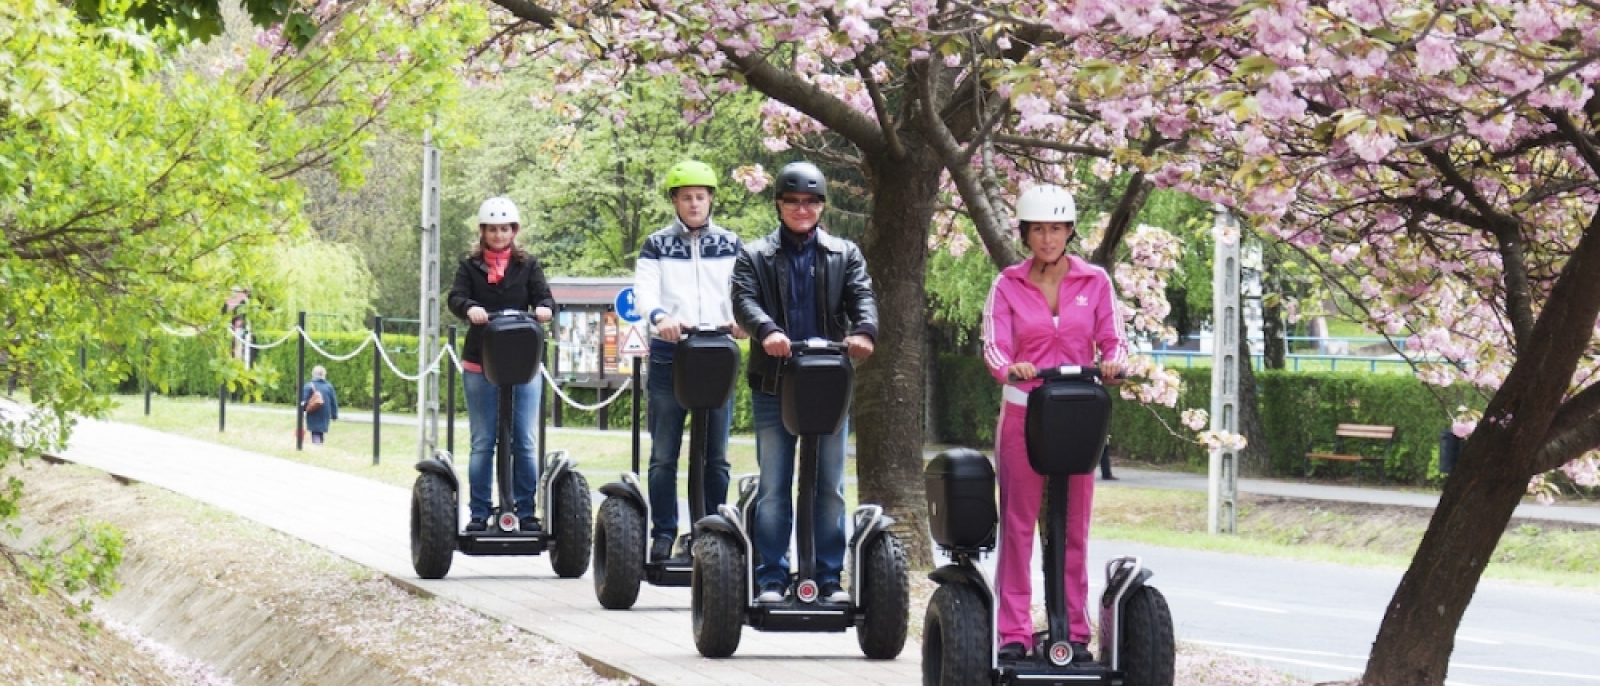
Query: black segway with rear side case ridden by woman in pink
x=1068, y=420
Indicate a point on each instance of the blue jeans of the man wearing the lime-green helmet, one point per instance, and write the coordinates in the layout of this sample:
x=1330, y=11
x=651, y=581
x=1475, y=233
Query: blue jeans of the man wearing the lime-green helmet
x=666, y=437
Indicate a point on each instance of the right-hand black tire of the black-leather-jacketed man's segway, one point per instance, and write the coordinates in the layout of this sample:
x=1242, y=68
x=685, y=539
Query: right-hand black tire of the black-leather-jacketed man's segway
x=886, y=599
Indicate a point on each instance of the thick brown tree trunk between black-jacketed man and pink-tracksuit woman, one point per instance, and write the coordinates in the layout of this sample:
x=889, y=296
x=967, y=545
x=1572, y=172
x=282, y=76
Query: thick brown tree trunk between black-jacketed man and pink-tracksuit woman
x=889, y=405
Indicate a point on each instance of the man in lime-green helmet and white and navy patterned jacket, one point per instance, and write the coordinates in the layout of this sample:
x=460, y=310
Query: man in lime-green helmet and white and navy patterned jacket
x=681, y=279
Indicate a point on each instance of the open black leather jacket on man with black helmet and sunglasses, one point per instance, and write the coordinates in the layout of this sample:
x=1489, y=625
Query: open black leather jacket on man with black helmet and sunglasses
x=761, y=287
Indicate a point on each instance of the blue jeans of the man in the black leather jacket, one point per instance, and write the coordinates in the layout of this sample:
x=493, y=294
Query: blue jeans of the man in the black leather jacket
x=775, y=452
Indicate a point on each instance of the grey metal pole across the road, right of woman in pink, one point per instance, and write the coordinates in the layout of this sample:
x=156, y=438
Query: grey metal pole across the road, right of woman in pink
x=1223, y=484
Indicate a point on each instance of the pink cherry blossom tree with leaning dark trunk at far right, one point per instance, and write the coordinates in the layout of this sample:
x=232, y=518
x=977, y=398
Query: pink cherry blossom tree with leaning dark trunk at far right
x=1441, y=162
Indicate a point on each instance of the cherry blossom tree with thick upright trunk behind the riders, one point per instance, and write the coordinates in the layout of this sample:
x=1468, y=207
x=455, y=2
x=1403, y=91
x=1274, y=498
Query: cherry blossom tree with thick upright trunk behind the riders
x=935, y=103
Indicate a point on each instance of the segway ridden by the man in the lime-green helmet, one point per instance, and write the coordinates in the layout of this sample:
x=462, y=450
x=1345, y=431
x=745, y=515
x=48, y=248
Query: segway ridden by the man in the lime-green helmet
x=705, y=370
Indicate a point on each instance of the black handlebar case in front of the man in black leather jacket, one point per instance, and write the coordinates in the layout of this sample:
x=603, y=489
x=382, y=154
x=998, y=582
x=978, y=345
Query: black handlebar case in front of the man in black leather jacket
x=815, y=391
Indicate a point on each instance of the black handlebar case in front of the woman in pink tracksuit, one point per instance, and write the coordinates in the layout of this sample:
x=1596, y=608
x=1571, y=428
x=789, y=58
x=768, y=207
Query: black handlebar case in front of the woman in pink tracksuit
x=1068, y=423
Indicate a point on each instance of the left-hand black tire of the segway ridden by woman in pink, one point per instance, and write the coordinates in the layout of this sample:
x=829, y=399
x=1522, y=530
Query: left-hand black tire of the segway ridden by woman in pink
x=956, y=639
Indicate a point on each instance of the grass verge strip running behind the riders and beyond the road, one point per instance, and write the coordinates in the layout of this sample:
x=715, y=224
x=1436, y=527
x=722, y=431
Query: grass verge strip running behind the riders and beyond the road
x=1306, y=530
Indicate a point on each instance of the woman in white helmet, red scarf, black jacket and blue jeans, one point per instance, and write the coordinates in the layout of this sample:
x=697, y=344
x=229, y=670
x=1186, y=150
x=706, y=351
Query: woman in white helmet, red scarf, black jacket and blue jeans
x=500, y=276
